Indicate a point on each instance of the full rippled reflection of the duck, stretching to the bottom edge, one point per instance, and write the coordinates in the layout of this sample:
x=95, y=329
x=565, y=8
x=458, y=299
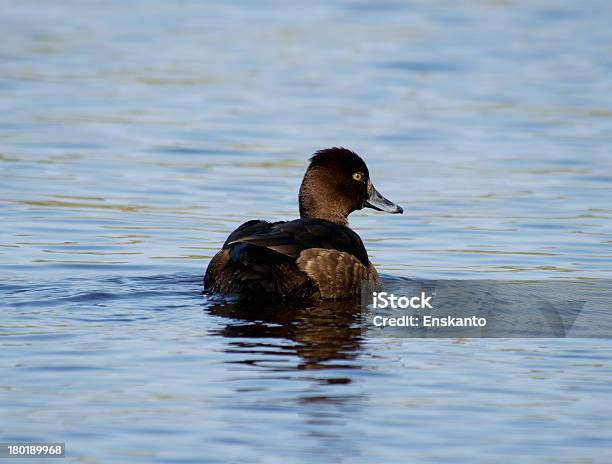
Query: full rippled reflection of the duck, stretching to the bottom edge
x=312, y=349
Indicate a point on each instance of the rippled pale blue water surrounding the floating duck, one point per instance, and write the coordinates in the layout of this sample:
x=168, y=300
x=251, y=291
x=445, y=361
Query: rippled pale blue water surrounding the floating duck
x=134, y=136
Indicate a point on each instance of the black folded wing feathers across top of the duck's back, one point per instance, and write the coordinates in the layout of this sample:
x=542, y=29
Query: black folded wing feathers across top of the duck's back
x=294, y=237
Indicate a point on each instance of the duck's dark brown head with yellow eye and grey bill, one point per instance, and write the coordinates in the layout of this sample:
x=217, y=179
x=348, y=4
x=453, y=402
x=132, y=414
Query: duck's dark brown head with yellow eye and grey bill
x=337, y=182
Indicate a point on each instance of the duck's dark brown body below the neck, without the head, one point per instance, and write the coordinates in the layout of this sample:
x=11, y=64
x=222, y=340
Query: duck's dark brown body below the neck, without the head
x=300, y=258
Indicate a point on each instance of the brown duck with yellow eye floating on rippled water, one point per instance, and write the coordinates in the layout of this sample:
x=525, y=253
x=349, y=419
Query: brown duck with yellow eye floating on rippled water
x=317, y=256
